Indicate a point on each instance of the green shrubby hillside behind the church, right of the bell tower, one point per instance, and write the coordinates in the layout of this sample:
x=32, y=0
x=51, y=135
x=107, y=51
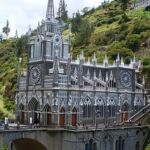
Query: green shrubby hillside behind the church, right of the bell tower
x=115, y=31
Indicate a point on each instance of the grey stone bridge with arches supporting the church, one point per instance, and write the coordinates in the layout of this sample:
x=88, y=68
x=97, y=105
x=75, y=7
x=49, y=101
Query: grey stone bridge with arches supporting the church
x=117, y=138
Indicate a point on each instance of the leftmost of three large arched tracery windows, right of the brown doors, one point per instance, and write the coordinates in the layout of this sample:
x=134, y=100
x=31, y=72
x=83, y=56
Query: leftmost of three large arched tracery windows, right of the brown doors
x=87, y=108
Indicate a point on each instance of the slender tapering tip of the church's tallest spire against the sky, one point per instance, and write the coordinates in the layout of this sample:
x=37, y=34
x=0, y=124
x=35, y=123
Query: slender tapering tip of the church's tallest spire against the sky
x=50, y=10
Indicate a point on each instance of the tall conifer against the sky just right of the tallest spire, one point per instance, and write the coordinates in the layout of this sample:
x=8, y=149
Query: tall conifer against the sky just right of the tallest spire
x=62, y=11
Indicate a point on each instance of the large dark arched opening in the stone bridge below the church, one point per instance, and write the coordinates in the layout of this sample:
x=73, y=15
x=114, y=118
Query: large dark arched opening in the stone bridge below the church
x=27, y=144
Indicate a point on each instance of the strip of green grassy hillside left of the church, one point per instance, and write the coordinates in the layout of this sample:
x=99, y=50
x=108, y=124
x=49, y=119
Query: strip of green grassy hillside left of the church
x=8, y=76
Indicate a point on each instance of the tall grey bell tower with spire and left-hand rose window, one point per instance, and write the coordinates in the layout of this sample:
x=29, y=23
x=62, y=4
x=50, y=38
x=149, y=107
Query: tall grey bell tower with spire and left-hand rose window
x=44, y=46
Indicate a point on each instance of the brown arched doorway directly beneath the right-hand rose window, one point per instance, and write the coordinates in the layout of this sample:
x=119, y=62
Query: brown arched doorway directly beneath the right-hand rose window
x=125, y=112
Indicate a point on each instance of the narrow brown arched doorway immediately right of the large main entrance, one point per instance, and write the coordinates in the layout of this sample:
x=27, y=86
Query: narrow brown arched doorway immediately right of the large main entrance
x=47, y=110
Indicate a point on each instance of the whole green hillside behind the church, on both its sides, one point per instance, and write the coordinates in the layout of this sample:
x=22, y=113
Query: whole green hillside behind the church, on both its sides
x=104, y=30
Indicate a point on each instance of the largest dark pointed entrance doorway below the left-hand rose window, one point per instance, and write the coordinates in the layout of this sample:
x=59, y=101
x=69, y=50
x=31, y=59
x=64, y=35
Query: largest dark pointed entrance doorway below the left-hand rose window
x=34, y=107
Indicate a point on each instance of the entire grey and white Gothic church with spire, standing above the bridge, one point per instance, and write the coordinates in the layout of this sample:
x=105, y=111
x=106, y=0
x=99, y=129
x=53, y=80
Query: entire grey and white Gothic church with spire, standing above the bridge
x=59, y=91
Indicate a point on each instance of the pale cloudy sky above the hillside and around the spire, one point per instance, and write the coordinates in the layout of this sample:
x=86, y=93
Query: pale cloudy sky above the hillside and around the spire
x=22, y=13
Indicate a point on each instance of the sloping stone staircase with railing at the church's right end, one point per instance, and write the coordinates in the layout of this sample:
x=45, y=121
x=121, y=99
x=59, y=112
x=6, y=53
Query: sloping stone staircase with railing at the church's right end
x=140, y=114
